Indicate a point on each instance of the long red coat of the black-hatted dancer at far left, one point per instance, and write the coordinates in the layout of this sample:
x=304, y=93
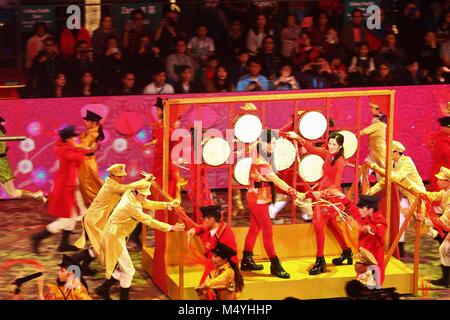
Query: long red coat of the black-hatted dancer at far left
x=62, y=198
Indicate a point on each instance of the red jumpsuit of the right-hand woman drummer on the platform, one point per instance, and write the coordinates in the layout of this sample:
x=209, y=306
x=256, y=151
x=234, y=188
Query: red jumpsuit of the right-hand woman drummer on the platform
x=325, y=215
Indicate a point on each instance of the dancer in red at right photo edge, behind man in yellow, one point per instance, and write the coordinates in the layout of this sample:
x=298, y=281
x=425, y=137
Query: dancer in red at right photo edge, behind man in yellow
x=441, y=151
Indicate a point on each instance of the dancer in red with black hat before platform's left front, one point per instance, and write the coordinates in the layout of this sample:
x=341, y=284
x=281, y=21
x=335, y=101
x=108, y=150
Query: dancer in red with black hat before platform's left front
x=212, y=231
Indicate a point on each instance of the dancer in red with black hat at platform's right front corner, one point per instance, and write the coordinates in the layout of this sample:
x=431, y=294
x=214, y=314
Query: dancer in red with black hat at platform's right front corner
x=372, y=223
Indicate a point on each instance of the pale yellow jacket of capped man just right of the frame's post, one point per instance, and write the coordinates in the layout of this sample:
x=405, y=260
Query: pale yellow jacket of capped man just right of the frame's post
x=406, y=172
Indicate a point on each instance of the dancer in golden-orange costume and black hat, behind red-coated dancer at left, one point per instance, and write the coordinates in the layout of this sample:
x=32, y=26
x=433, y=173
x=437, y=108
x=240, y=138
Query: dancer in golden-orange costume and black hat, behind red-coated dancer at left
x=90, y=181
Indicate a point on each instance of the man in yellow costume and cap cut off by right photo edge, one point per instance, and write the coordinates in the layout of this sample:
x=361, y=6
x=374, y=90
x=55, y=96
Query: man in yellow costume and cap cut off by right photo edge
x=444, y=249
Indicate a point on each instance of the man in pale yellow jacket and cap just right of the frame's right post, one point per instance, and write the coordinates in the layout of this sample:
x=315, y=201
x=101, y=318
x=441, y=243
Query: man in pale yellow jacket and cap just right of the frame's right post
x=405, y=171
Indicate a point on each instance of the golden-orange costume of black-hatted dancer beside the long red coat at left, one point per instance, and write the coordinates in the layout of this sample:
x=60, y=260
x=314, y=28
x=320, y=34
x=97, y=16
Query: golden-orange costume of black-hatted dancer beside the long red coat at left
x=90, y=181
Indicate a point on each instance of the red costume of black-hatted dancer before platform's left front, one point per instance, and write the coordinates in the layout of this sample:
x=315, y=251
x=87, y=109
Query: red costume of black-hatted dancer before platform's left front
x=225, y=235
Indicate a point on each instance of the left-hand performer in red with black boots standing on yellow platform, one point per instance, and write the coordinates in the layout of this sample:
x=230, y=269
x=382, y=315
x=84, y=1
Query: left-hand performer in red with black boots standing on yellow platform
x=260, y=194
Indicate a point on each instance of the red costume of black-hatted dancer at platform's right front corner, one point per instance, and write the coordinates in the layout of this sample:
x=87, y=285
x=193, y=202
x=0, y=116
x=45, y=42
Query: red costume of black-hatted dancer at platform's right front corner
x=373, y=243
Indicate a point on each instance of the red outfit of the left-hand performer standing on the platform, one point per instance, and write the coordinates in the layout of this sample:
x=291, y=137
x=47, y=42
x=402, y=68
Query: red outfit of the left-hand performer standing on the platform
x=259, y=211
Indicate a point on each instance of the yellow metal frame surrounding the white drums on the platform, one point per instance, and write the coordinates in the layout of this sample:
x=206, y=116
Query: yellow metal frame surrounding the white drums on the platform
x=276, y=97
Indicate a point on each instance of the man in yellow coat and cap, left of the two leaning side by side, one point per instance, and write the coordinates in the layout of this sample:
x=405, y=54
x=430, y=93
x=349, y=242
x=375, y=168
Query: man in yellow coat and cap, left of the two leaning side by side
x=98, y=213
